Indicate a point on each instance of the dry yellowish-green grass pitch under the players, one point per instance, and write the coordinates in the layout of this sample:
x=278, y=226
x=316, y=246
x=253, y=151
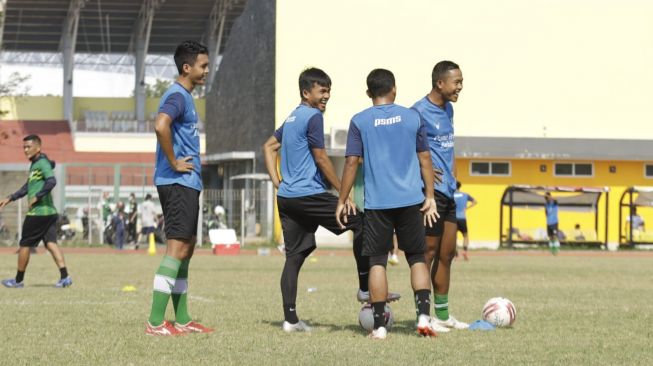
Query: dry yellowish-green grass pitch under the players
x=570, y=311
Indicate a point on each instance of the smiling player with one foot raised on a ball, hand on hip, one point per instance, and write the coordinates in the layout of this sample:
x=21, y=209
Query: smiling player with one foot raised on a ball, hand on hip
x=302, y=199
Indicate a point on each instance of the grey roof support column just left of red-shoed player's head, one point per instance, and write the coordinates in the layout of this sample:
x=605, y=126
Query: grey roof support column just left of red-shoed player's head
x=141, y=44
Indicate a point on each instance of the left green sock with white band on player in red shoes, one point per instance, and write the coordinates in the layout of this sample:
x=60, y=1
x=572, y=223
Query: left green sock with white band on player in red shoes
x=164, y=282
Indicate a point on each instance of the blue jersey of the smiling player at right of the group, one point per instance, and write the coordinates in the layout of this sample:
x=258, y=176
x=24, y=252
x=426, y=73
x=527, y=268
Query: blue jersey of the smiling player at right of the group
x=439, y=129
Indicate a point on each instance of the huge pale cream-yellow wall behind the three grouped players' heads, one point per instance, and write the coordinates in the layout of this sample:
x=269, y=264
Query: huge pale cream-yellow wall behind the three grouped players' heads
x=576, y=67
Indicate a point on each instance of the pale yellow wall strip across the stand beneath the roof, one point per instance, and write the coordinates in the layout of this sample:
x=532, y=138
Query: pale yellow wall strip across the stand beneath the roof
x=51, y=108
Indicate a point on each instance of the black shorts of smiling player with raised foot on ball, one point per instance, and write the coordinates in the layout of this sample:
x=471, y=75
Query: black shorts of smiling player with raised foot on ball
x=301, y=216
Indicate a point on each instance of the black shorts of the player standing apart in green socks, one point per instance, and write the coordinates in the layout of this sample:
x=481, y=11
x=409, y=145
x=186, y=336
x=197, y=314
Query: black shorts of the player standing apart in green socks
x=181, y=208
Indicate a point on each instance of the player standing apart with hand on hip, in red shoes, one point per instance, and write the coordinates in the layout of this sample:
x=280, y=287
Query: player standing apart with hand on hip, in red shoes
x=179, y=183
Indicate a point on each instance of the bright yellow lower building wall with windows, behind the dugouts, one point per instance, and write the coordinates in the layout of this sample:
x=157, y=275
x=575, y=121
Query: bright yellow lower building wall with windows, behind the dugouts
x=483, y=220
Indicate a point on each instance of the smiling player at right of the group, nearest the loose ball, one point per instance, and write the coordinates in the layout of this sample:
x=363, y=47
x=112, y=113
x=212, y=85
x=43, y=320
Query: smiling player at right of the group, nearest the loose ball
x=436, y=113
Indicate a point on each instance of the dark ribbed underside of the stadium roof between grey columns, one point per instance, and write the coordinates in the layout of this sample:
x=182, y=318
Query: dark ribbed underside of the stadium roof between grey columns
x=108, y=26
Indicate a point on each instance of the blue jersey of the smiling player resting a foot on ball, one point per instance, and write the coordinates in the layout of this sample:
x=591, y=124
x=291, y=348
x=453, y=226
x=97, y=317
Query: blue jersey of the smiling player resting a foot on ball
x=302, y=131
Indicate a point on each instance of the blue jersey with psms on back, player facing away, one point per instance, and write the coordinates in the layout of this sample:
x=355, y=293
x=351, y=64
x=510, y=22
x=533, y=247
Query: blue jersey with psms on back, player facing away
x=388, y=138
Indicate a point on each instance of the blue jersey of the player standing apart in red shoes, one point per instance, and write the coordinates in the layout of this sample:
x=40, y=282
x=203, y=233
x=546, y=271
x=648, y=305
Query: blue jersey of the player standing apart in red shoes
x=178, y=103
